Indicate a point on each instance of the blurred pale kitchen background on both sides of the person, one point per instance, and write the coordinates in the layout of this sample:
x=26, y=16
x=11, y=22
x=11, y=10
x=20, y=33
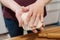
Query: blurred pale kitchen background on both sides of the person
x=52, y=18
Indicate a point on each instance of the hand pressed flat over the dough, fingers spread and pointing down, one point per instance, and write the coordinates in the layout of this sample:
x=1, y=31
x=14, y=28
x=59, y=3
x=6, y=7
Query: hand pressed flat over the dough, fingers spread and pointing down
x=36, y=12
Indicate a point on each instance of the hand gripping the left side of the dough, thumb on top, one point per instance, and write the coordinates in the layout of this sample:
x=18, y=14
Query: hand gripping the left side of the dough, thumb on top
x=19, y=13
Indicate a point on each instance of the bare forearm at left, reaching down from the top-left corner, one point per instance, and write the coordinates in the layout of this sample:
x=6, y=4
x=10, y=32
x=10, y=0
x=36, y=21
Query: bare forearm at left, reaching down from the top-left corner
x=11, y=4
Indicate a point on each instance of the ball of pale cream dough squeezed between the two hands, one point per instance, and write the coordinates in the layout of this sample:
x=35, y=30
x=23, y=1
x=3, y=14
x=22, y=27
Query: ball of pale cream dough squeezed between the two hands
x=24, y=16
